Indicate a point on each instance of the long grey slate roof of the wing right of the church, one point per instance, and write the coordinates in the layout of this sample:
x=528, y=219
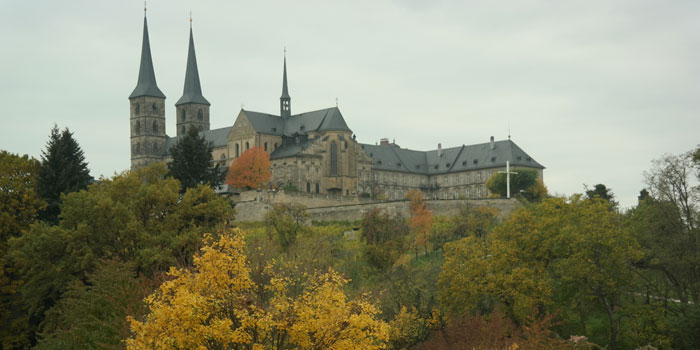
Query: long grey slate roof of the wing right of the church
x=468, y=157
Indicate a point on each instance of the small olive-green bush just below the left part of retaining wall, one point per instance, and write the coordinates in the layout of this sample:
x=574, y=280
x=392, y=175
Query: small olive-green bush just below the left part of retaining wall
x=286, y=221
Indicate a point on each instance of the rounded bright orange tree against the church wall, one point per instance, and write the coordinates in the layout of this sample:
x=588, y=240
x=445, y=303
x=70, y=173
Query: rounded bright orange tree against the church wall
x=250, y=170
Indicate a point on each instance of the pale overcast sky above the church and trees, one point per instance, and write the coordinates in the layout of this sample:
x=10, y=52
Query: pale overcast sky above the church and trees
x=593, y=90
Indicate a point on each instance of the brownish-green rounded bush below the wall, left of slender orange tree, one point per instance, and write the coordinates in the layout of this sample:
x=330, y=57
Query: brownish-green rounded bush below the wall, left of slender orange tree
x=385, y=236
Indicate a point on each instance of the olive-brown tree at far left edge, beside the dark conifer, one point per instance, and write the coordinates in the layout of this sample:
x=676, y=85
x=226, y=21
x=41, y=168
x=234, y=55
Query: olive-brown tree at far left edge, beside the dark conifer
x=19, y=207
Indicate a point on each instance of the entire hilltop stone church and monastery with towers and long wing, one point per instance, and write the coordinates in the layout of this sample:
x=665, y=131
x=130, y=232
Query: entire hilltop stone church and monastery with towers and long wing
x=316, y=151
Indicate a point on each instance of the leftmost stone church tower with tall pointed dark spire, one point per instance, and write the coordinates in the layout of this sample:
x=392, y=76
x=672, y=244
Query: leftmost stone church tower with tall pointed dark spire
x=147, y=104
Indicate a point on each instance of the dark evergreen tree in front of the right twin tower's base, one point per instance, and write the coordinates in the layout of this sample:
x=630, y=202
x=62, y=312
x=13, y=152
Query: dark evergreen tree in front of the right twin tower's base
x=192, y=162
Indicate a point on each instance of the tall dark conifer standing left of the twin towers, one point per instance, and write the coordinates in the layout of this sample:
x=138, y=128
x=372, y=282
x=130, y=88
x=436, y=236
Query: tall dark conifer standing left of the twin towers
x=63, y=170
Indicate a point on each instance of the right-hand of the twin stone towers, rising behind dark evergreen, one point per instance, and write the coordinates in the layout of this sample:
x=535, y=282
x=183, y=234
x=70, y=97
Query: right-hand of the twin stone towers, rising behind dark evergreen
x=192, y=108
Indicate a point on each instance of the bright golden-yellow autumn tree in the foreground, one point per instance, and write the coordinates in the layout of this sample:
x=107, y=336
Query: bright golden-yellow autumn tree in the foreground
x=211, y=306
